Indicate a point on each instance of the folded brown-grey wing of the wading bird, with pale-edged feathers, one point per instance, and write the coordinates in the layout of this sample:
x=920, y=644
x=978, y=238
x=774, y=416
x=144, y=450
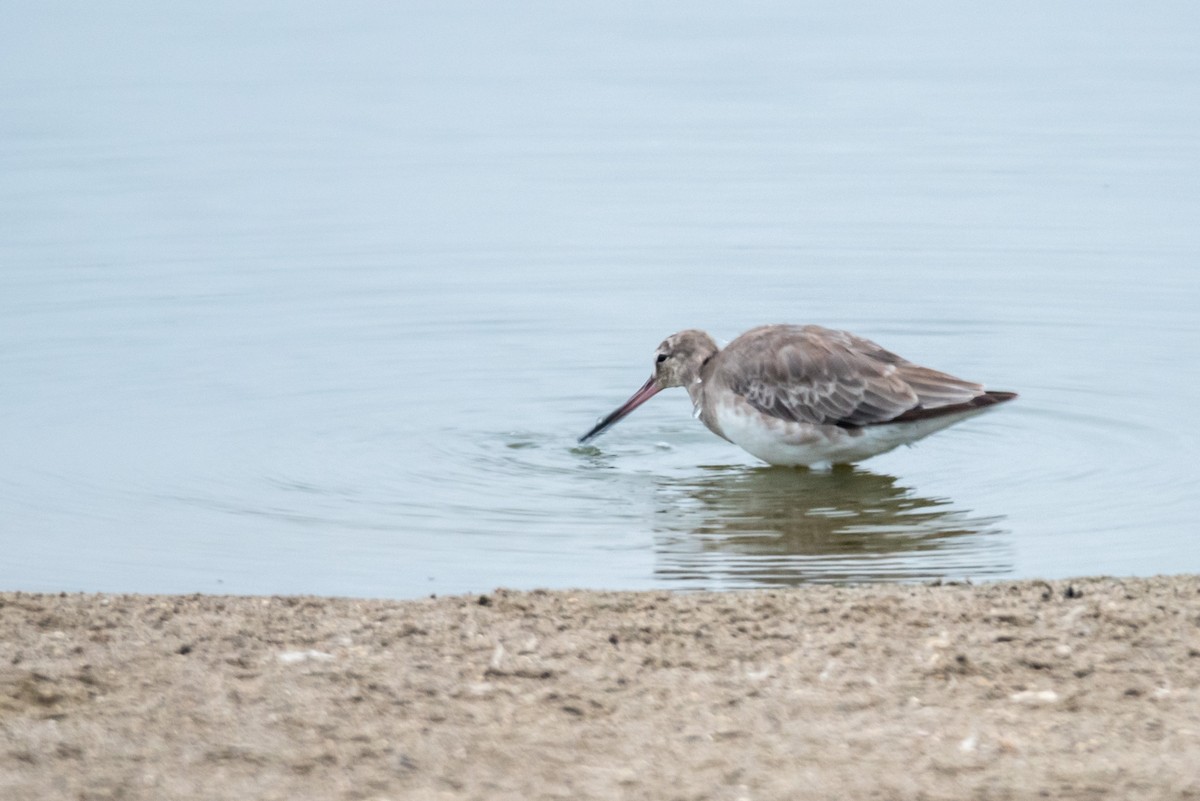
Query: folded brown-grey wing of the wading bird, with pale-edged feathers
x=819, y=376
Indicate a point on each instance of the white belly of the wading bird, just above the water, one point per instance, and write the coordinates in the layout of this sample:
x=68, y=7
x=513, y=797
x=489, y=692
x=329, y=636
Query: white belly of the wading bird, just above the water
x=791, y=444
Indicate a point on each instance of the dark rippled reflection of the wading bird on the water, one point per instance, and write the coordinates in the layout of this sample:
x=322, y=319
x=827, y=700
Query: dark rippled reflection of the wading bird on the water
x=739, y=527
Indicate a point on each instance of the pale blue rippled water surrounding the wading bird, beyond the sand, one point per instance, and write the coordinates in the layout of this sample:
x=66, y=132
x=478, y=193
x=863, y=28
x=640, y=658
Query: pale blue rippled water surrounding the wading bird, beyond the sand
x=313, y=299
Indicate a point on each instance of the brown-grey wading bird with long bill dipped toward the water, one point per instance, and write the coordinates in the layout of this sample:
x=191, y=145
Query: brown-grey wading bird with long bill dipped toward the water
x=805, y=395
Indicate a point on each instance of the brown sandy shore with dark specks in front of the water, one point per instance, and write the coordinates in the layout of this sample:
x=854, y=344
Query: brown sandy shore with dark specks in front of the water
x=1070, y=690
